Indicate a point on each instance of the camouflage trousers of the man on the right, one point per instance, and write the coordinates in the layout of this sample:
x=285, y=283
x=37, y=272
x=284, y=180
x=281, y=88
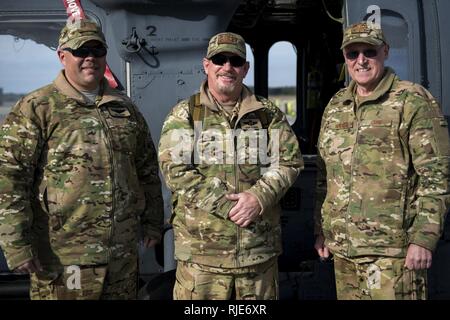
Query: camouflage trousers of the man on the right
x=378, y=278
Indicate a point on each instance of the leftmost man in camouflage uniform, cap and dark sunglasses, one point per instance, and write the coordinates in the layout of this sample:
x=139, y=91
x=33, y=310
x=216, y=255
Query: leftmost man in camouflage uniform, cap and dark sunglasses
x=78, y=176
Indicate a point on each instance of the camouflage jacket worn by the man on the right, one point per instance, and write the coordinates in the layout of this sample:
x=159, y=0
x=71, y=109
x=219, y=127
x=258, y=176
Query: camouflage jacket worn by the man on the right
x=386, y=161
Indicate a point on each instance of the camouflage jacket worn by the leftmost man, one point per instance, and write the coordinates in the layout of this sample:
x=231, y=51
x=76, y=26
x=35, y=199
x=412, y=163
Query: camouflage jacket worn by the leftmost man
x=75, y=178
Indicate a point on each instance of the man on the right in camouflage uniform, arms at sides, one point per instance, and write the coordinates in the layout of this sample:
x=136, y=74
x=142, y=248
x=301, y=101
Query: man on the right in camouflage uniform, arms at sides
x=385, y=173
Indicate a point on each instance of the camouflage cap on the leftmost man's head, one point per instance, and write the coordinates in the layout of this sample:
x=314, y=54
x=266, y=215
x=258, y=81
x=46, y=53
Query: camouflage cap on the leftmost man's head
x=75, y=34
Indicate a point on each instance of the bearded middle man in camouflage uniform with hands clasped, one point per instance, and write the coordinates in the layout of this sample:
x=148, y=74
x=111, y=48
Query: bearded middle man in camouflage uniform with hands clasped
x=226, y=213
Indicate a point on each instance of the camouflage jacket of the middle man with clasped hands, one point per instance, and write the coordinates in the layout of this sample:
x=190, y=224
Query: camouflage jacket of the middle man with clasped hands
x=225, y=163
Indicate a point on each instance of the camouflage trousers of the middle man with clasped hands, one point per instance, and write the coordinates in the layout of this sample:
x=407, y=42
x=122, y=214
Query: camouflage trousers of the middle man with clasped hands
x=200, y=282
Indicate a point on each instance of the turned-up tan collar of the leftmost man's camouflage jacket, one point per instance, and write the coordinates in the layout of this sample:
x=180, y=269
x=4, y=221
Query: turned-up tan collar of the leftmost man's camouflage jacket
x=106, y=93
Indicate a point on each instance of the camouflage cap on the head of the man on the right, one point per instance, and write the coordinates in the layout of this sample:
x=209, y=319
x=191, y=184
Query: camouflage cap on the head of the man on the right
x=363, y=33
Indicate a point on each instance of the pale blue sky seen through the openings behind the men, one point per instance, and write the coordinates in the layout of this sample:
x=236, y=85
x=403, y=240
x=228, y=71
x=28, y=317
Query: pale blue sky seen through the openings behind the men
x=25, y=65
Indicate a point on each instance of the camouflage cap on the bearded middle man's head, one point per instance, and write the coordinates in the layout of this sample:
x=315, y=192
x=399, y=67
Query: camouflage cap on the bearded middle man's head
x=226, y=42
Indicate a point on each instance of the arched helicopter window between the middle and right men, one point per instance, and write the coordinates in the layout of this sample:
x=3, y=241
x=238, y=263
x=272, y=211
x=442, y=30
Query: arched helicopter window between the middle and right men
x=283, y=78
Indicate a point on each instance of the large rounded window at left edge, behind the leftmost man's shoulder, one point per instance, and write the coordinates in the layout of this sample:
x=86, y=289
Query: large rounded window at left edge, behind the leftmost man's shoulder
x=25, y=66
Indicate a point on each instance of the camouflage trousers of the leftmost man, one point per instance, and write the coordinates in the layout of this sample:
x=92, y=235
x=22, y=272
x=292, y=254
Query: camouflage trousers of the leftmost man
x=116, y=280
